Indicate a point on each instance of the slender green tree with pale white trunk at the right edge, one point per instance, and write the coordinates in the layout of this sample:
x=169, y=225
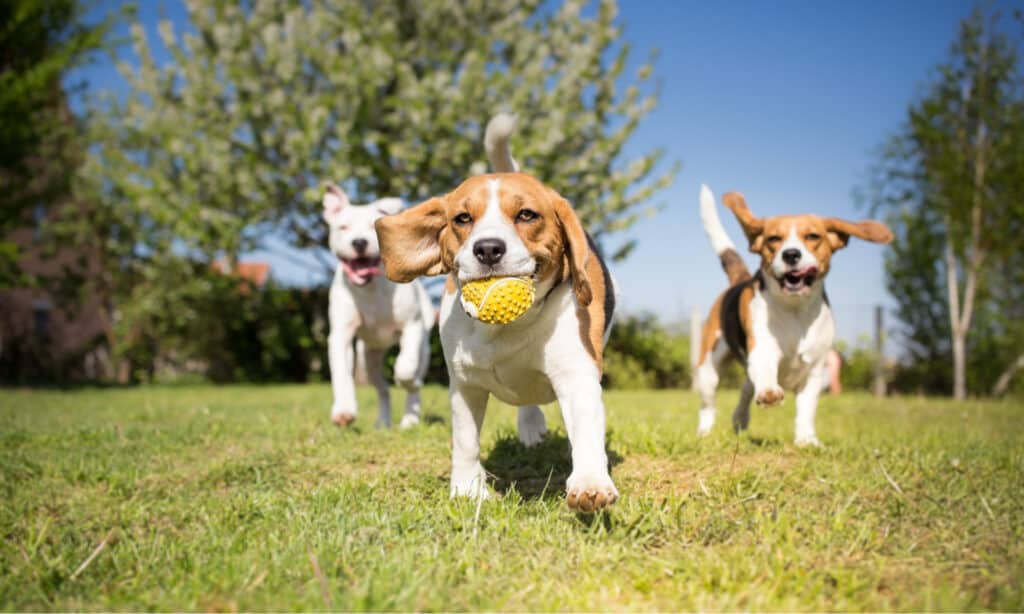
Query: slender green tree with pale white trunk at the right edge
x=952, y=181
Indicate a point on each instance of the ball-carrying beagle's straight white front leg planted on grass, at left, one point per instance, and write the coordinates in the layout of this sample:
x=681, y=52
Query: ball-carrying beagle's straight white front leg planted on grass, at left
x=468, y=476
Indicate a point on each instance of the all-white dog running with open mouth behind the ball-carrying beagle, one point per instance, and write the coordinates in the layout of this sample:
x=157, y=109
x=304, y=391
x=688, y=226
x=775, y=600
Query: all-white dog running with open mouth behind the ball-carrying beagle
x=365, y=306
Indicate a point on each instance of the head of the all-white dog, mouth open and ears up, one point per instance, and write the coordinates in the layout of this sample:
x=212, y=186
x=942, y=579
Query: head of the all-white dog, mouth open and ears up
x=353, y=238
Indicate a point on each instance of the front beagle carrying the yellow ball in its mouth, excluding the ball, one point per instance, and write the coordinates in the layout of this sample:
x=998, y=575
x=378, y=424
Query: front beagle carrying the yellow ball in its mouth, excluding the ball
x=506, y=225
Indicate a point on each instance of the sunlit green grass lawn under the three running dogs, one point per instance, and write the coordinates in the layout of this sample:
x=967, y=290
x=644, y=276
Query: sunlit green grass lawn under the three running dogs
x=220, y=497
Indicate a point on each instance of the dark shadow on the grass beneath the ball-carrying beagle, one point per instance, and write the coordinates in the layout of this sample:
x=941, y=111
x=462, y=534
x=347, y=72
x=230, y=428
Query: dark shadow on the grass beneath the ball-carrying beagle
x=538, y=472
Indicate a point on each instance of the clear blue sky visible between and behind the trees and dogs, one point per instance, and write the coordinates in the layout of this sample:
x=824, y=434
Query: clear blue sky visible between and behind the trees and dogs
x=786, y=102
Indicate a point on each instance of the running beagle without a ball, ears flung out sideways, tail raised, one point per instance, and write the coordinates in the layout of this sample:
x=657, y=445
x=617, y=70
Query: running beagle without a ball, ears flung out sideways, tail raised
x=777, y=323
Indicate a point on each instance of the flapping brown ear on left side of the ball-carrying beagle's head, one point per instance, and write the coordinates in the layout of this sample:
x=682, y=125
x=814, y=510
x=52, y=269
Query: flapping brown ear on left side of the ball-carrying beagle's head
x=412, y=242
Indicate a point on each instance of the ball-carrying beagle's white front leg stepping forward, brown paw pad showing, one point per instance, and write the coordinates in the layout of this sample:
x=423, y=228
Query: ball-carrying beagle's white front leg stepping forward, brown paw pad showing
x=589, y=488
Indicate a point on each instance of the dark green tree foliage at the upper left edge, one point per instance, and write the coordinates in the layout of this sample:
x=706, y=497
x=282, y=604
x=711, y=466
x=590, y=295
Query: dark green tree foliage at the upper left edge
x=40, y=42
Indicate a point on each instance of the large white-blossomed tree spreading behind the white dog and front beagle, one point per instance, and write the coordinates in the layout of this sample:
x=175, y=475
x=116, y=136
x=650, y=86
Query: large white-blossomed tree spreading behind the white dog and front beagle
x=230, y=142
